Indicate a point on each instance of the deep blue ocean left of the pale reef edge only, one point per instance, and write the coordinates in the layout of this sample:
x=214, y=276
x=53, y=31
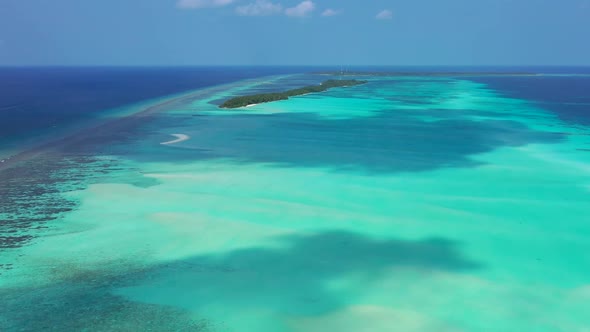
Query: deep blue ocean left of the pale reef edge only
x=34, y=100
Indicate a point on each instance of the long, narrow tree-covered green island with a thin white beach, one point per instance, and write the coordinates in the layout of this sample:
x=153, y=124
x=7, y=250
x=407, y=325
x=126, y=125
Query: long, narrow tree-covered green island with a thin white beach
x=268, y=97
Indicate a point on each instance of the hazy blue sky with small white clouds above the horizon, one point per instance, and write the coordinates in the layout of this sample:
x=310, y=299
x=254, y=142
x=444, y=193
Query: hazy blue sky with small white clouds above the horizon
x=292, y=32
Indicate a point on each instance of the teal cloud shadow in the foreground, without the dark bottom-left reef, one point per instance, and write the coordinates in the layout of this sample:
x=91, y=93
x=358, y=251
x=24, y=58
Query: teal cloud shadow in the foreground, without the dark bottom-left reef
x=296, y=277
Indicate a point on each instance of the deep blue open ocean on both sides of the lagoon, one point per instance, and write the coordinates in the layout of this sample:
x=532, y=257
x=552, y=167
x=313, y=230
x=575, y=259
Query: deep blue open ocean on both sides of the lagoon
x=37, y=101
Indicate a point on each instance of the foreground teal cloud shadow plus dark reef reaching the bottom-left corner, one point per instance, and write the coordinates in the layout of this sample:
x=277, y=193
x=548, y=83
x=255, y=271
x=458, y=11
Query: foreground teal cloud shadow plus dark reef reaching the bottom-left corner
x=297, y=278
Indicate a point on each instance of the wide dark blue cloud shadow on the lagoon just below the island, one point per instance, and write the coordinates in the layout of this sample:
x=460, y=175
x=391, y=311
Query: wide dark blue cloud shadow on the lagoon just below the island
x=385, y=143
